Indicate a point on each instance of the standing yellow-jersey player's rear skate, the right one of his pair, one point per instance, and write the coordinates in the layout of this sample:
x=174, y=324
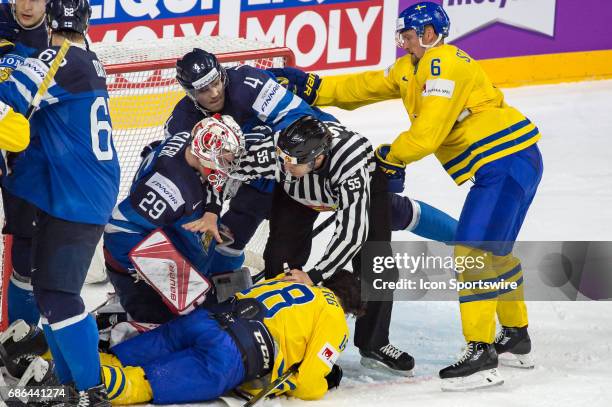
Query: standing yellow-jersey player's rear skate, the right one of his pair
x=513, y=346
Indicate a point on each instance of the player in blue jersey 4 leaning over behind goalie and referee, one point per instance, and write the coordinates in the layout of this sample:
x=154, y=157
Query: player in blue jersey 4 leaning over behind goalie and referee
x=243, y=92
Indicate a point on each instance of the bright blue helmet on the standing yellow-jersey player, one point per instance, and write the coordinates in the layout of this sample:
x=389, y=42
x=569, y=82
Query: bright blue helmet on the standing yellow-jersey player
x=420, y=15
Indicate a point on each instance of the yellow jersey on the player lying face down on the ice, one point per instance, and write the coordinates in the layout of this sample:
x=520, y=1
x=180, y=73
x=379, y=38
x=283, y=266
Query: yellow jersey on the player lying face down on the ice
x=309, y=327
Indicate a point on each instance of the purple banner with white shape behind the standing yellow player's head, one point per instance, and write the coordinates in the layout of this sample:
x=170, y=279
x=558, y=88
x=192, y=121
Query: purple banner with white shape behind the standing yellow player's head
x=510, y=28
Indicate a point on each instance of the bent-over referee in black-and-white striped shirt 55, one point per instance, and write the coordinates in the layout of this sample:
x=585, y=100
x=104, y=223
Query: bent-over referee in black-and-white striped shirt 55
x=326, y=167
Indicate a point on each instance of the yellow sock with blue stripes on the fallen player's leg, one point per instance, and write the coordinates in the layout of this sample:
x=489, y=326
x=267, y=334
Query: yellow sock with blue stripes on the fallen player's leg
x=126, y=385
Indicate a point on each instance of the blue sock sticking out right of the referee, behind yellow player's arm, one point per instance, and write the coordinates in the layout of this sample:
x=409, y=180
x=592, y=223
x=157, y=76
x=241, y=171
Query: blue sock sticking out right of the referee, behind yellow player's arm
x=432, y=223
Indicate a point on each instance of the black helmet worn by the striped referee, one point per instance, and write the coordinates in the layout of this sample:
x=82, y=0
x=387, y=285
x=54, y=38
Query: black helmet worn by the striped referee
x=303, y=141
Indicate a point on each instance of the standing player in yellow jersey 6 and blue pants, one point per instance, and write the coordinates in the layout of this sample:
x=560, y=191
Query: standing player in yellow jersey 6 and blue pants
x=479, y=137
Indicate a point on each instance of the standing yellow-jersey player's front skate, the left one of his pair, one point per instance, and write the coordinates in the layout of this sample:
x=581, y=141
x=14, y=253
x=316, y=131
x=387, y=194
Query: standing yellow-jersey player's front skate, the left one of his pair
x=475, y=369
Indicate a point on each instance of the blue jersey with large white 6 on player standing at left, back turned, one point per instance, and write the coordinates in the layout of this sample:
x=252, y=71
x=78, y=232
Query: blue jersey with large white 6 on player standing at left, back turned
x=70, y=170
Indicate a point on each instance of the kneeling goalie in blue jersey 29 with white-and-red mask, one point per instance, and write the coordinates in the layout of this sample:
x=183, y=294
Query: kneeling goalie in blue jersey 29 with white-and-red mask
x=167, y=192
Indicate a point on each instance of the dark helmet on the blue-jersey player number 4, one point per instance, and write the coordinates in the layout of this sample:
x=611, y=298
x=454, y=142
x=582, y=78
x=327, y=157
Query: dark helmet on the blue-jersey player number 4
x=198, y=69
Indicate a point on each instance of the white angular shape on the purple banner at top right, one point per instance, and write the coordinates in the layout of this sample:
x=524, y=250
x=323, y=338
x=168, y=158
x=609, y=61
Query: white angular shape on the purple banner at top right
x=468, y=16
